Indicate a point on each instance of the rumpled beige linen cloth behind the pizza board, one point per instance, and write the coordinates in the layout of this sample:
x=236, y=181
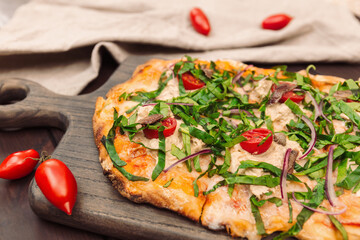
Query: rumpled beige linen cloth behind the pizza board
x=57, y=42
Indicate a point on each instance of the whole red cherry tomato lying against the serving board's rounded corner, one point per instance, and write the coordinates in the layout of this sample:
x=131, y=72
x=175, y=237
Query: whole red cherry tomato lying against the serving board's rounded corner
x=57, y=183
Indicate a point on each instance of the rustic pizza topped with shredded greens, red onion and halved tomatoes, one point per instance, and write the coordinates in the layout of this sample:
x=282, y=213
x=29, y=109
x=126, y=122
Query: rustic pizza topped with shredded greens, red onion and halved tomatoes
x=235, y=147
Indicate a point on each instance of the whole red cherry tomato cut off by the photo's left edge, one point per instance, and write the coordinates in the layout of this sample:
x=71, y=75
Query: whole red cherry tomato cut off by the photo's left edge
x=19, y=164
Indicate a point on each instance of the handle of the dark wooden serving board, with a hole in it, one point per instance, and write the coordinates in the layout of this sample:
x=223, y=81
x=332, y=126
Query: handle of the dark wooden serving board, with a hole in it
x=25, y=103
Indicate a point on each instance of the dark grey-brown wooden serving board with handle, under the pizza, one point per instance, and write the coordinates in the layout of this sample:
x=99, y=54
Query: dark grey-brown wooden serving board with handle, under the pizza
x=99, y=207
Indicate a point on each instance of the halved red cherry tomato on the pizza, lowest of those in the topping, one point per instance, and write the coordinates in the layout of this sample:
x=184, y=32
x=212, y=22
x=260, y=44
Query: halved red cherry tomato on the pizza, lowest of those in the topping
x=254, y=137
